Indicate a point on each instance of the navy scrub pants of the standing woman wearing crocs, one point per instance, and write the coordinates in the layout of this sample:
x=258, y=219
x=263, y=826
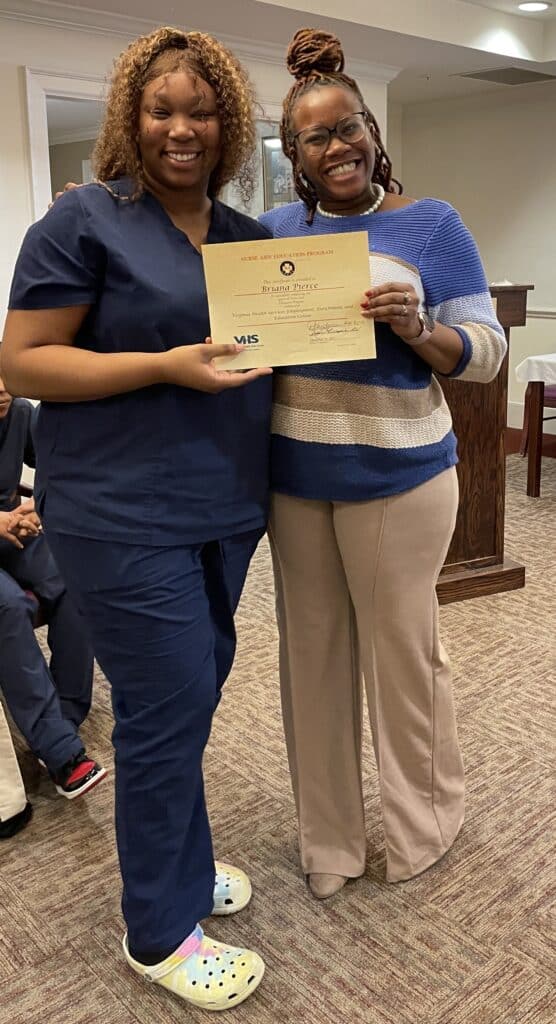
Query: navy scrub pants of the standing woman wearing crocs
x=162, y=627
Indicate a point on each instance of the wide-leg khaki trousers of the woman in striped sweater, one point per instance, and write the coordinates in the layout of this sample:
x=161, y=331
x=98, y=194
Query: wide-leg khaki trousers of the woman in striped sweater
x=356, y=589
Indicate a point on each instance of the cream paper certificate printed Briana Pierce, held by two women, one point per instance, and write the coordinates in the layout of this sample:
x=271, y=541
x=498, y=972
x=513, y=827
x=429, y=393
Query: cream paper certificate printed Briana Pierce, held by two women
x=290, y=302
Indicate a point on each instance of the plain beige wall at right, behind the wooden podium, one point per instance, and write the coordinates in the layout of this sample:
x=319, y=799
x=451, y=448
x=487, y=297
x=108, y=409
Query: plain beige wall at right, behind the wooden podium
x=494, y=157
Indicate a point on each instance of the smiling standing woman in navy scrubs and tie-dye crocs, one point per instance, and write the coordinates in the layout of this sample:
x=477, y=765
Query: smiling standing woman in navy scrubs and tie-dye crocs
x=153, y=472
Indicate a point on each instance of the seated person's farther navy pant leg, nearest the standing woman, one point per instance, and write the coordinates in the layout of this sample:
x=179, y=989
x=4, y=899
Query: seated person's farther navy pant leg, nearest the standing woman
x=72, y=661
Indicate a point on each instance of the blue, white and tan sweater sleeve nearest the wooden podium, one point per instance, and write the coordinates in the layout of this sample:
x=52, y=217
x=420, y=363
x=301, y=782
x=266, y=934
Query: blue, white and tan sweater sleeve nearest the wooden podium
x=457, y=295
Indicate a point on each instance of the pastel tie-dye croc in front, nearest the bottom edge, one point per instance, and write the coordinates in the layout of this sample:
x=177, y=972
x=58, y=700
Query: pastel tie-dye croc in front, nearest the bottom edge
x=204, y=972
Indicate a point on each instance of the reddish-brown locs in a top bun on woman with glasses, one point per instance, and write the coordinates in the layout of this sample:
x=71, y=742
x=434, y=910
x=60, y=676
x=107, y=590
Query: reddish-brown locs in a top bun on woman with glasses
x=316, y=59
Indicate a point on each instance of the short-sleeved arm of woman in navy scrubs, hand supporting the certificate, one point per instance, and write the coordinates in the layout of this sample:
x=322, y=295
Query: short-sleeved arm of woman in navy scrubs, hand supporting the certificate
x=56, y=283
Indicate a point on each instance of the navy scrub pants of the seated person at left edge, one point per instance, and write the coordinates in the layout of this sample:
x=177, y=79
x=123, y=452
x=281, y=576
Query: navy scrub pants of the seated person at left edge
x=48, y=705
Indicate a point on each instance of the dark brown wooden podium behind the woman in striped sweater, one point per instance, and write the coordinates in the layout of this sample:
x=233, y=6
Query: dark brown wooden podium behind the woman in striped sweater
x=476, y=565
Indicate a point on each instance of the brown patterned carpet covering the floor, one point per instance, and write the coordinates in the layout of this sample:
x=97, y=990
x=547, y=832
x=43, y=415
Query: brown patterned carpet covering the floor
x=472, y=942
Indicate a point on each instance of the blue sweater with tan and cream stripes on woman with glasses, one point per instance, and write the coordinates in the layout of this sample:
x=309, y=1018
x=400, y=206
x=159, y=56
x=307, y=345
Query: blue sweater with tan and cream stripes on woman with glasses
x=353, y=432
